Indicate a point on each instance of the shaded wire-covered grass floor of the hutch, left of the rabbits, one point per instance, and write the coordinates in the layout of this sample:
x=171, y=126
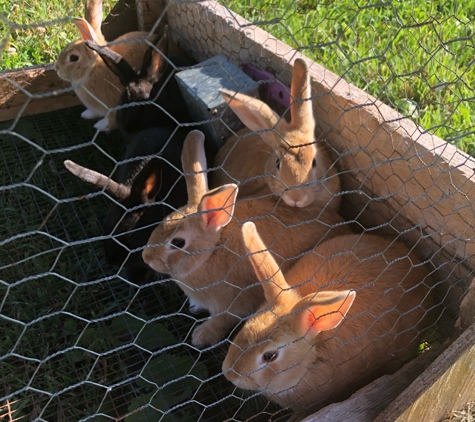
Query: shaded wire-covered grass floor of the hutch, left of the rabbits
x=70, y=318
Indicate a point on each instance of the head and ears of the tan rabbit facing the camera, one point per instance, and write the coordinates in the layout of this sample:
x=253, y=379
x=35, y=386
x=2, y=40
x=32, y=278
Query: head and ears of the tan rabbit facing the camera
x=298, y=168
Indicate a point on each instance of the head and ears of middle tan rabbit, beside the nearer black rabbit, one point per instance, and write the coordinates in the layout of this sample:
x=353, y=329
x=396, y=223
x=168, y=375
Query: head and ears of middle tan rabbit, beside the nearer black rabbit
x=186, y=238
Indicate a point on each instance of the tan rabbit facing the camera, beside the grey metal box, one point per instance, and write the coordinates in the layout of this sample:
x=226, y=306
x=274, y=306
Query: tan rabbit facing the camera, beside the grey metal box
x=285, y=156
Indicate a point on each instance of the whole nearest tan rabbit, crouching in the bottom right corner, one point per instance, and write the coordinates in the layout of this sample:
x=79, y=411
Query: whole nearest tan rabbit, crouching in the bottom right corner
x=351, y=311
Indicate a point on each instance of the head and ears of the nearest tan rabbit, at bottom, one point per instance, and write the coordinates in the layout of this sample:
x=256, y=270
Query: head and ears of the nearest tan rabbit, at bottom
x=274, y=350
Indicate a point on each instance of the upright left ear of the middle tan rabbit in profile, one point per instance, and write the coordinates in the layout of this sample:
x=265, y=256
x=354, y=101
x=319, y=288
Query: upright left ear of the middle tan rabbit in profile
x=193, y=160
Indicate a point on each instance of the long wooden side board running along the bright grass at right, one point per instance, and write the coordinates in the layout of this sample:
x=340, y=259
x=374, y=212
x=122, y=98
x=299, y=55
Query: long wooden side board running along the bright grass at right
x=419, y=181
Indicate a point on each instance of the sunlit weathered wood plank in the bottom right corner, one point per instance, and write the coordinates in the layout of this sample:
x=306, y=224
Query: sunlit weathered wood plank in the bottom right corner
x=448, y=384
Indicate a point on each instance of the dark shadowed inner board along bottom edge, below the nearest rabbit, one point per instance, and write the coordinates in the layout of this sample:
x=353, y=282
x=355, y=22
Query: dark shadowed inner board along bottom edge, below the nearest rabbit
x=367, y=403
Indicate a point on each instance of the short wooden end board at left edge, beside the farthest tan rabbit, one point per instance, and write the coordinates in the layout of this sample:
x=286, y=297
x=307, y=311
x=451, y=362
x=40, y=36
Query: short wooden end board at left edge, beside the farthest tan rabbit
x=33, y=90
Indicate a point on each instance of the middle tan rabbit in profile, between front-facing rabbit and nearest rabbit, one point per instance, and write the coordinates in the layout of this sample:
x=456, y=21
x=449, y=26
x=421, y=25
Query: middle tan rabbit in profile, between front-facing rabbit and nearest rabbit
x=201, y=247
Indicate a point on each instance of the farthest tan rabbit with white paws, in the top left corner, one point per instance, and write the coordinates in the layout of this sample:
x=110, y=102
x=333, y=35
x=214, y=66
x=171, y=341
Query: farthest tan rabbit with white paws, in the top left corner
x=95, y=85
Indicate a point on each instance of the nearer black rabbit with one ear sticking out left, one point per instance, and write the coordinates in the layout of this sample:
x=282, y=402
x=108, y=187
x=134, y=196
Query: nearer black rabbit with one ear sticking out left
x=148, y=186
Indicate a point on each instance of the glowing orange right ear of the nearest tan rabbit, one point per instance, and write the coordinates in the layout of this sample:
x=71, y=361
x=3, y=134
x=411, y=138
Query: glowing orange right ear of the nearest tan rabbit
x=322, y=311
